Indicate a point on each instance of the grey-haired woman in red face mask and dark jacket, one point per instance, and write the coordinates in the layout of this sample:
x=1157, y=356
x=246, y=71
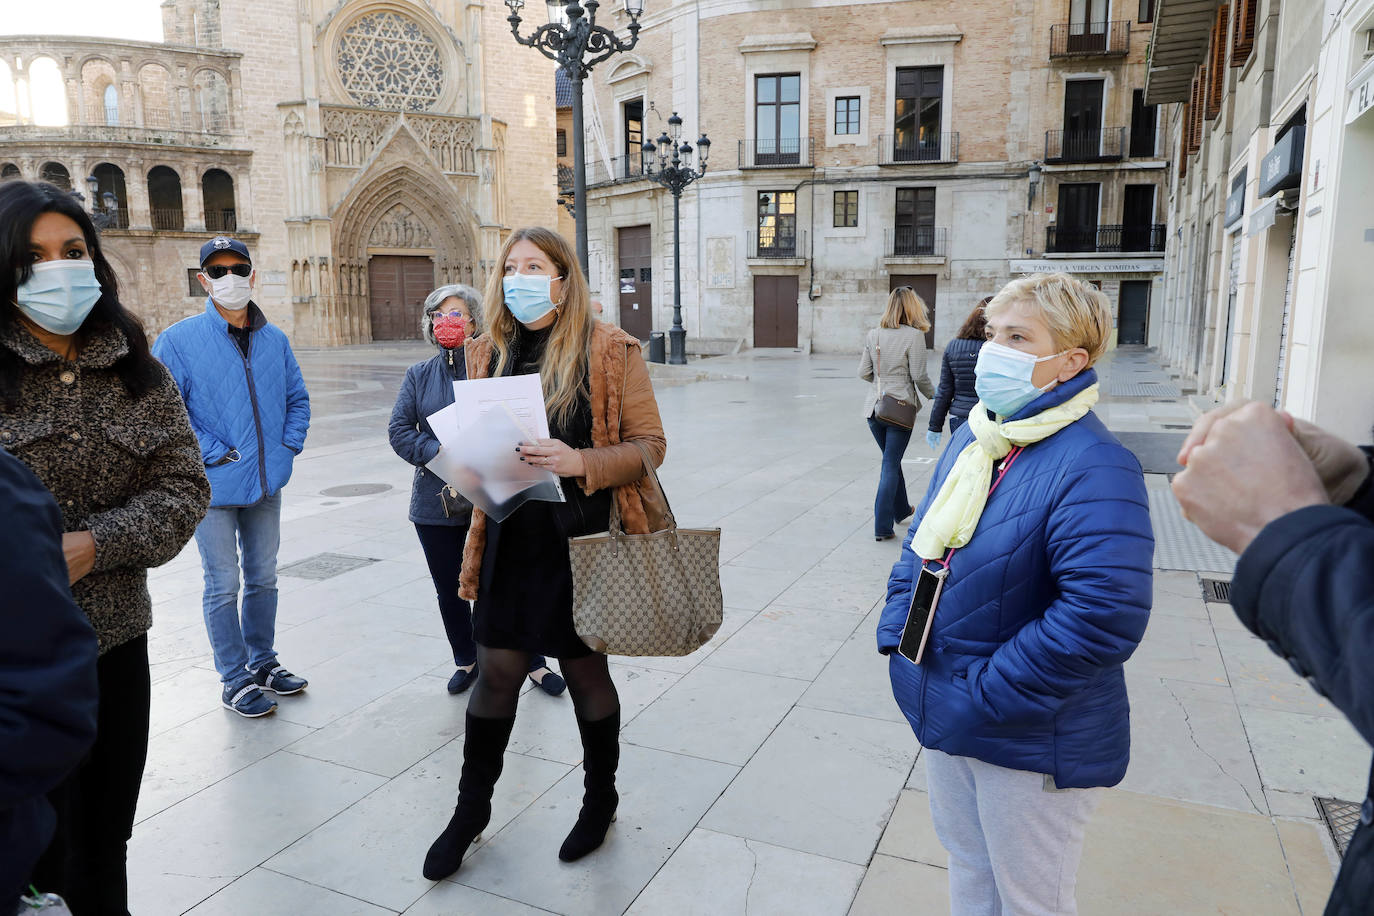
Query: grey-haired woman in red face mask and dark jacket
x=442, y=517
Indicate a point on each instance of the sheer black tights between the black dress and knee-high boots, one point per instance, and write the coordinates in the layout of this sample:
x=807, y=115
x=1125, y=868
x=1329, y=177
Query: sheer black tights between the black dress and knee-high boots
x=501, y=675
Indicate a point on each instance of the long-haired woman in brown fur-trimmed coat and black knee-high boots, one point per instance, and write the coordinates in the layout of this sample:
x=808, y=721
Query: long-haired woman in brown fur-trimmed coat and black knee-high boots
x=601, y=411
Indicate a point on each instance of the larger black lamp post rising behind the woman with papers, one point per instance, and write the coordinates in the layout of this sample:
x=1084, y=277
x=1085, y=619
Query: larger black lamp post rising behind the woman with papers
x=578, y=45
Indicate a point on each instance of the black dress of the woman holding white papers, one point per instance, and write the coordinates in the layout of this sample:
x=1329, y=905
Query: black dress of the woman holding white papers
x=526, y=597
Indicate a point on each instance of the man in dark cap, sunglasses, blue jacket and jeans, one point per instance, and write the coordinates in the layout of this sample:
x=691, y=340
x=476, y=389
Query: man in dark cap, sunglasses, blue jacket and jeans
x=249, y=410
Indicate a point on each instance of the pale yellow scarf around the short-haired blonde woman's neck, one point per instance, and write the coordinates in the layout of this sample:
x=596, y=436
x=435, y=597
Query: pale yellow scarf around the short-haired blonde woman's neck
x=954, y=514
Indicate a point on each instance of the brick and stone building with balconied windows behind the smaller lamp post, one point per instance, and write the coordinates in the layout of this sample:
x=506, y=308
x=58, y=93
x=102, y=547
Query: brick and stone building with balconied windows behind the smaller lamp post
x=862, y=146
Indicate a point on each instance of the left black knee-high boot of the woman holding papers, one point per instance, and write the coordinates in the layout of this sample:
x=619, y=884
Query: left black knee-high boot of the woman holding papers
x=484, y=751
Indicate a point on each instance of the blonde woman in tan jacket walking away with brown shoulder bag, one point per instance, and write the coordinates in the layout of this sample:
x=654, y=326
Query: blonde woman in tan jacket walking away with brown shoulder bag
x=898, y=347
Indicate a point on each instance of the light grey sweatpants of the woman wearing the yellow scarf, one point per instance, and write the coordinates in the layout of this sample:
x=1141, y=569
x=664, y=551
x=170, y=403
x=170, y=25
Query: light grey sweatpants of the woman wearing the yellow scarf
x=1015, y=840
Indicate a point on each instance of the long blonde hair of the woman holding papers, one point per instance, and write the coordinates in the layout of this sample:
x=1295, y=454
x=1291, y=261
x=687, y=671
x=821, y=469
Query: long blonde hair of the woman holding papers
x=564, y=369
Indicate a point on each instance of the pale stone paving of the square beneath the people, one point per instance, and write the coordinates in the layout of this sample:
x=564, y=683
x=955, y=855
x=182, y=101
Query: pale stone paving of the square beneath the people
x=772, y=768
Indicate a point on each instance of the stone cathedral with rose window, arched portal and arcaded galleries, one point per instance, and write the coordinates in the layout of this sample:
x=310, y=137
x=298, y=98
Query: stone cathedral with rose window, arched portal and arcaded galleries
x=366, y=152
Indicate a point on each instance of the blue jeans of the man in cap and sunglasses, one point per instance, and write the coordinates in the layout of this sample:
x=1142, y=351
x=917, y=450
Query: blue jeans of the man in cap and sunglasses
x=241, y=646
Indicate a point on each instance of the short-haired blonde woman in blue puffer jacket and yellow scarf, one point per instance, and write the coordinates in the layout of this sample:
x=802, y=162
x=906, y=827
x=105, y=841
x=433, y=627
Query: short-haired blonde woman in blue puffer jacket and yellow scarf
x=1039, y=525
